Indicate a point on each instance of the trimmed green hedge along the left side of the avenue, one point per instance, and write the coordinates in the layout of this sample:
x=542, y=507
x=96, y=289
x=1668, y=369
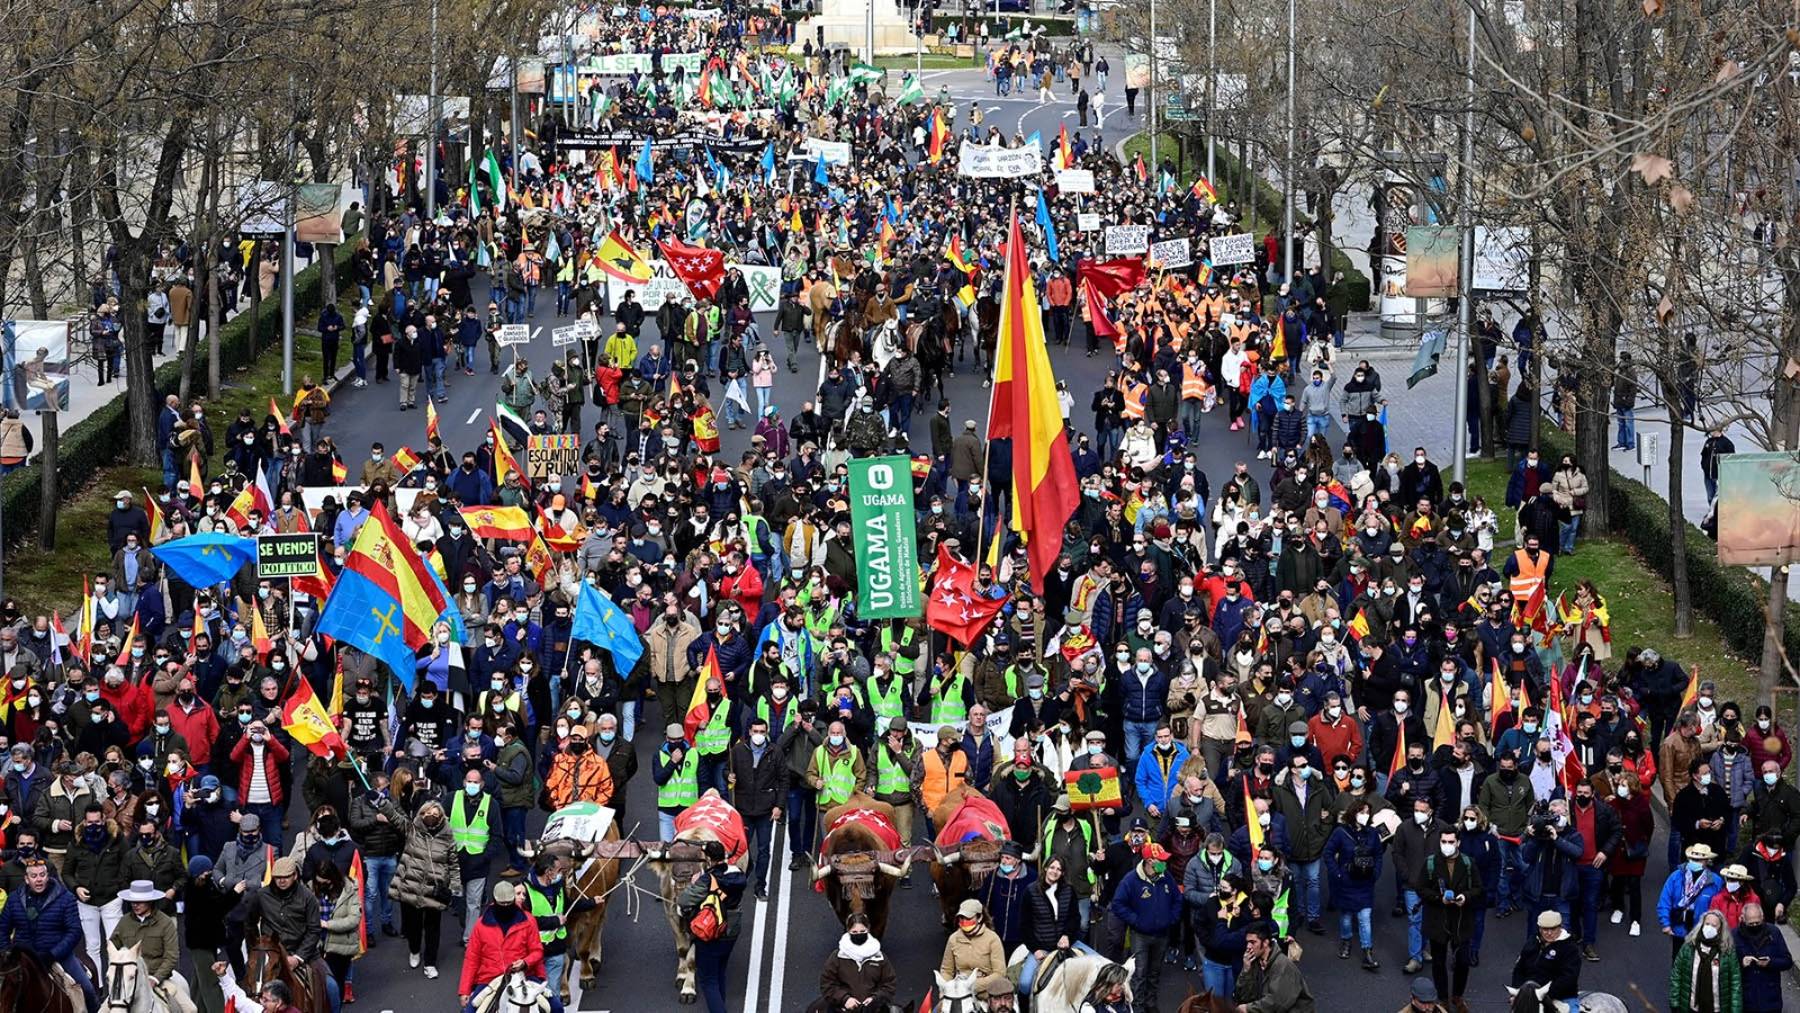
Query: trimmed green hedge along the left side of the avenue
x=105, y=438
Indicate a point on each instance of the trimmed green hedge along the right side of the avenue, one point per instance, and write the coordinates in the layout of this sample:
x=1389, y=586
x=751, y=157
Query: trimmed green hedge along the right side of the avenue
x=1734, y=598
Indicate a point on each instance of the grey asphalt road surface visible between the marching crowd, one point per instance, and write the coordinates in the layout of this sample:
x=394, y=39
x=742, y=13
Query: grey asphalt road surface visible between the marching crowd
x=786, y=940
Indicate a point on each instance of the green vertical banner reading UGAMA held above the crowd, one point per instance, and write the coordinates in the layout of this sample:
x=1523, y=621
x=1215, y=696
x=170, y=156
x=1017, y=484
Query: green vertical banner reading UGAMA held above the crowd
x=881, y=515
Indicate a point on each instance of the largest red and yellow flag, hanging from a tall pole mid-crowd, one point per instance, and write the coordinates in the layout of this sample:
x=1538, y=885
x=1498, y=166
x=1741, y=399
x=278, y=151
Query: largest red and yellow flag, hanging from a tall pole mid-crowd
x=1025, y=409
